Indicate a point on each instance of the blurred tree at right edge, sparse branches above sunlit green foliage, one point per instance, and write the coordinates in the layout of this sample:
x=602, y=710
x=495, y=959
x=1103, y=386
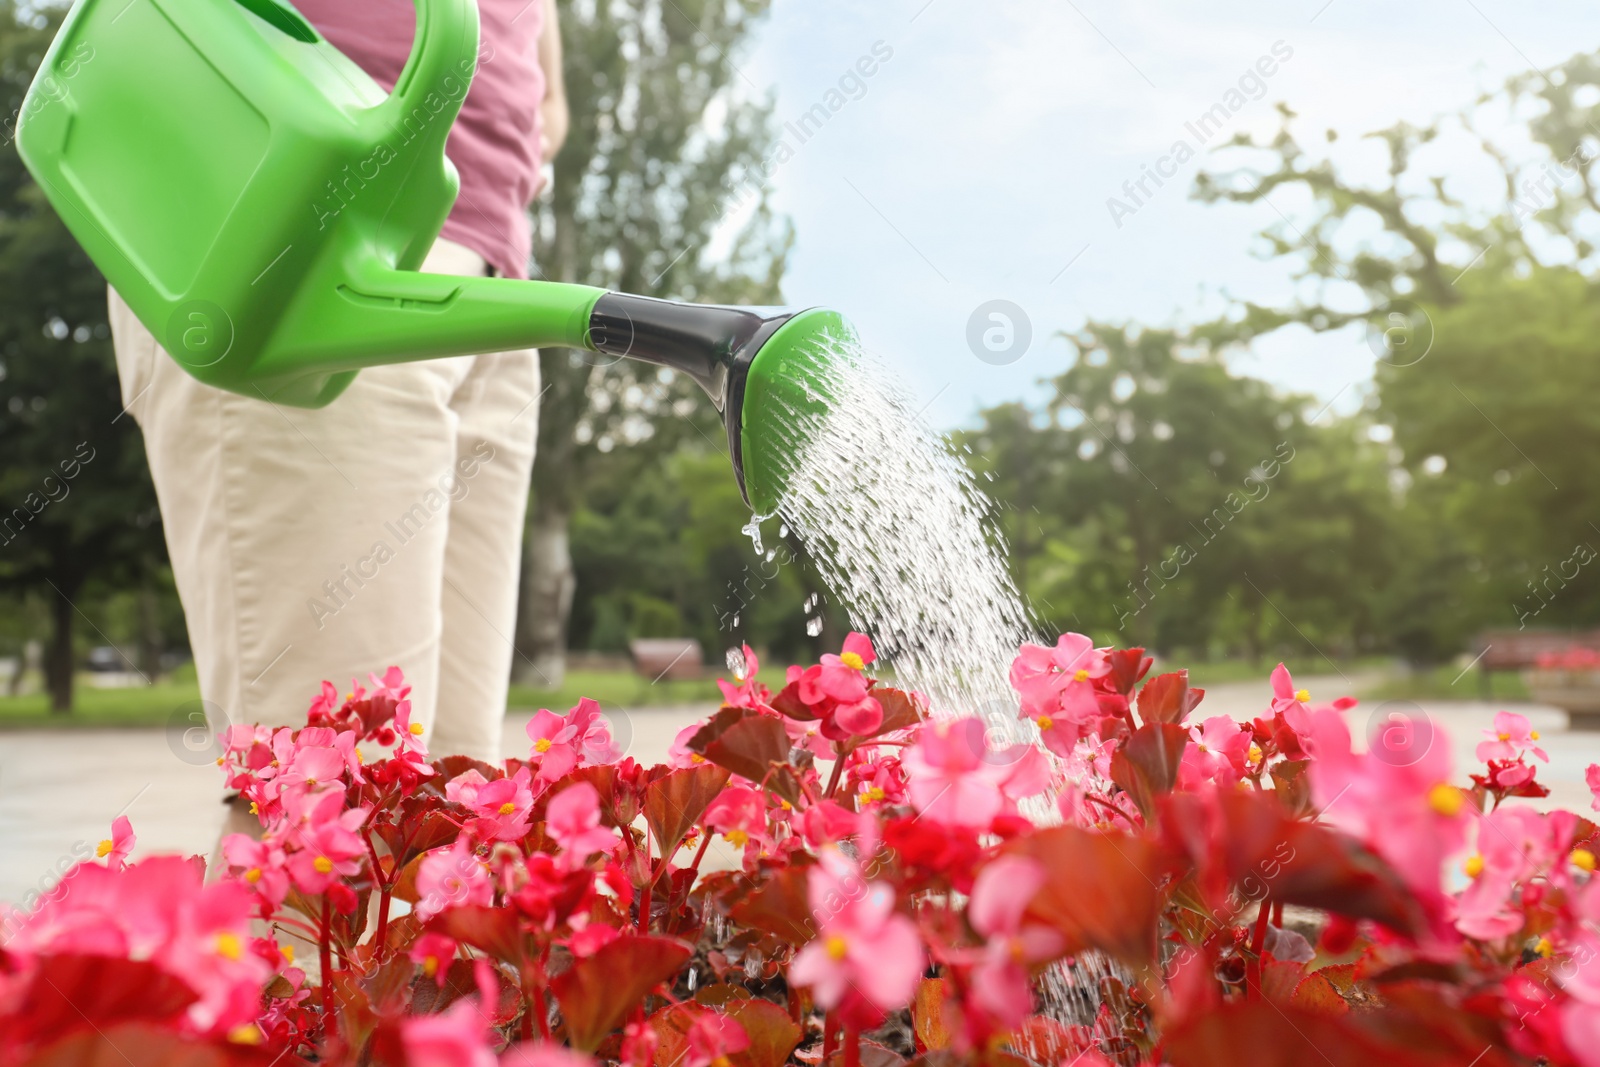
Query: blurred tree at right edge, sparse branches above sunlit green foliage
x=1486, y=330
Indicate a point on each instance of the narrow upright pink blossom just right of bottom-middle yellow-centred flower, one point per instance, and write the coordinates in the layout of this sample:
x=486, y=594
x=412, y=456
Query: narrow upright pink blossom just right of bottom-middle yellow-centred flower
x=1001, y=981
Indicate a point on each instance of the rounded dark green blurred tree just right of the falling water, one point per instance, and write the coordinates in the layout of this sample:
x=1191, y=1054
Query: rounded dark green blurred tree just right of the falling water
x=1161, y=500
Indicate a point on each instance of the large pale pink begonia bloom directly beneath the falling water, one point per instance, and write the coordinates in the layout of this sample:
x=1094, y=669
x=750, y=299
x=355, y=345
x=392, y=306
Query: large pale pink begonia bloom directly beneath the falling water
x=954, y=778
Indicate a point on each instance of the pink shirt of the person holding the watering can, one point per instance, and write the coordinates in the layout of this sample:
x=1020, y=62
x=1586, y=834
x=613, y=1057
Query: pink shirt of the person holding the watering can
x=495, y=143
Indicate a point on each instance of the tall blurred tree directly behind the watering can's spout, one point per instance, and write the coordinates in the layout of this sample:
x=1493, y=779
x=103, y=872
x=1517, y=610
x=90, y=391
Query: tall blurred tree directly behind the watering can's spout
x=660, y=134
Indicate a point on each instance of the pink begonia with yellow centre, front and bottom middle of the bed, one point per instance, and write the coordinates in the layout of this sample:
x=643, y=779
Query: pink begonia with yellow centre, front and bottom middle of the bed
x=863, y=948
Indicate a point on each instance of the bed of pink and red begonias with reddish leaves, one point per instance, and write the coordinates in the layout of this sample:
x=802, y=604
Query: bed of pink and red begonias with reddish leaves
x=886, y=897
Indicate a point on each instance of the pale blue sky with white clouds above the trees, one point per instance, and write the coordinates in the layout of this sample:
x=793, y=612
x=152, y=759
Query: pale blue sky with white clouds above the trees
x=977, y=162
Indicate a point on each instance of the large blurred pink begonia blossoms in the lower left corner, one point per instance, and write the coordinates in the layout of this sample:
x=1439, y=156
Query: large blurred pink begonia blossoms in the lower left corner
x=161, y=911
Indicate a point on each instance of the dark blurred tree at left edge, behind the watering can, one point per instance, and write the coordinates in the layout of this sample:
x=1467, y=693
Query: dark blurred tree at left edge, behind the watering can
x=74, y=489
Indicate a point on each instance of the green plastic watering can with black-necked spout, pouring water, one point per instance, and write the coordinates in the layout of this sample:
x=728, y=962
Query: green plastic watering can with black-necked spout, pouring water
x=194, y=150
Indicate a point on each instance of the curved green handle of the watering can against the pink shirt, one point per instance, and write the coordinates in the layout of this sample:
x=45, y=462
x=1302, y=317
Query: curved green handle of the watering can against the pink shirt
x=441, y=68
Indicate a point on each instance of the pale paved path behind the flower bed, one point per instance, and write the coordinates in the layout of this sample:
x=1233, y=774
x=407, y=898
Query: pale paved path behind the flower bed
x=60, y=791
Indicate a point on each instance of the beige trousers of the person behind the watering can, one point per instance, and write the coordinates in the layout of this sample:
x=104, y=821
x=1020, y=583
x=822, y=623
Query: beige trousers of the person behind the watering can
x=383, y=530
